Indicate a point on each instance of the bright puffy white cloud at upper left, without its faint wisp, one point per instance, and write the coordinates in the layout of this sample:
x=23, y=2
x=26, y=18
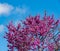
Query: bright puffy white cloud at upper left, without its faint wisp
x=5, y=9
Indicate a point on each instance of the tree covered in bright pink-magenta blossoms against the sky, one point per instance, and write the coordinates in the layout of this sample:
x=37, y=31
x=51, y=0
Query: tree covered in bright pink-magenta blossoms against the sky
x=36, y=34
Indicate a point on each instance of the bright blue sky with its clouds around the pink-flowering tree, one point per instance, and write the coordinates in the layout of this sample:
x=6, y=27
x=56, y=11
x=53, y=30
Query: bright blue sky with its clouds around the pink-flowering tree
x=16, y=10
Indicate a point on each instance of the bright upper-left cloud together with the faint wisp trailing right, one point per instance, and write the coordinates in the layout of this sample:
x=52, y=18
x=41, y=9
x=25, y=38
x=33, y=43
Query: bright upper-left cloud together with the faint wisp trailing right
x=6, y=9
